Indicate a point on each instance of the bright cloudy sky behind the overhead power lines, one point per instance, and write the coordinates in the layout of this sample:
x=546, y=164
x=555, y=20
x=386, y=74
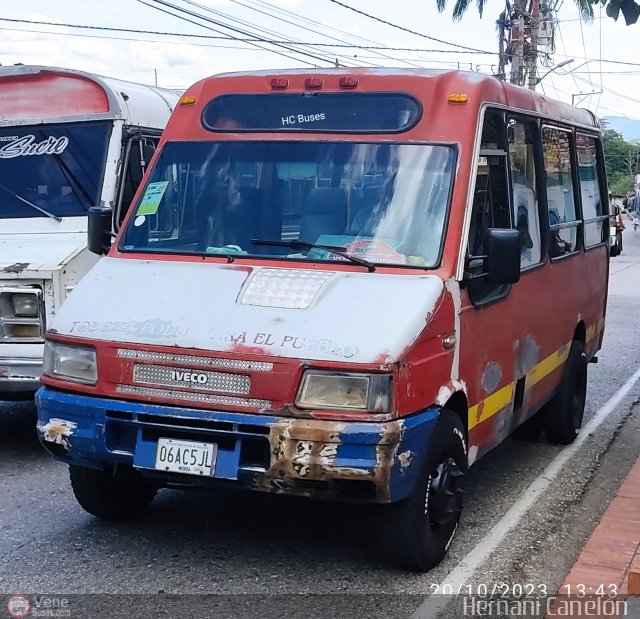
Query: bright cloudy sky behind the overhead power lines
x=177, y=62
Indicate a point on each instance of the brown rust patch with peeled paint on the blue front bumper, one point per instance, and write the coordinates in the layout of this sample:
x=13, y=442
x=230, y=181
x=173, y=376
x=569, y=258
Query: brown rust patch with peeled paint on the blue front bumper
x=306, y=449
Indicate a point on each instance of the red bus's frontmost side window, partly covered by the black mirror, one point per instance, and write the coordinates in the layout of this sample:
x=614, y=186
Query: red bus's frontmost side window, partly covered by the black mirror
x=491, y=206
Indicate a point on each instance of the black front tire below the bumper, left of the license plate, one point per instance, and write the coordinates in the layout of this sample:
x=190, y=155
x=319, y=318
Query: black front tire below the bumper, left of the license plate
x=111, y=495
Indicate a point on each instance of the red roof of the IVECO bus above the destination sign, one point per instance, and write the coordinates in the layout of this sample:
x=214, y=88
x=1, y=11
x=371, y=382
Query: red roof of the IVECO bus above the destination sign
x=431, y=86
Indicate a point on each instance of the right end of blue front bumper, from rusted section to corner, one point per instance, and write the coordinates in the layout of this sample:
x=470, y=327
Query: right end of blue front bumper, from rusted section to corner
x=375, y=462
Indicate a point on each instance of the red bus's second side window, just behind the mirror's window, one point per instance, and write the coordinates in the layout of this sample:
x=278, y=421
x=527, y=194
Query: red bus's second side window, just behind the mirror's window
x=523, y=147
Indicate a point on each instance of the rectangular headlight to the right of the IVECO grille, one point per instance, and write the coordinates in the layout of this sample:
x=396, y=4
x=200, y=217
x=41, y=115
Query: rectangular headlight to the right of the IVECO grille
x=343, y=390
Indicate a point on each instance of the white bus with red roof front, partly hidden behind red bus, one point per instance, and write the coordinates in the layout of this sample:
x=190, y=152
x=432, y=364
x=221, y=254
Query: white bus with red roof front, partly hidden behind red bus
x=68, y=141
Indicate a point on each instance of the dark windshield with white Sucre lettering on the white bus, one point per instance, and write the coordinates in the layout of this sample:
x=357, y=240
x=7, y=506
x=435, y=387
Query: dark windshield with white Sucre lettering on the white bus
x=58, y=168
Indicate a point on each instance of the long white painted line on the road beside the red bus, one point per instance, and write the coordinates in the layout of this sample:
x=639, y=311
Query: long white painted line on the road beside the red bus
x=461, y=574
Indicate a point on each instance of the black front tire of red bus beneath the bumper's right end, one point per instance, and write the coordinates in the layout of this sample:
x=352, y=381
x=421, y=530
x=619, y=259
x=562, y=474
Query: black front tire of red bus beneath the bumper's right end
x=418, y=531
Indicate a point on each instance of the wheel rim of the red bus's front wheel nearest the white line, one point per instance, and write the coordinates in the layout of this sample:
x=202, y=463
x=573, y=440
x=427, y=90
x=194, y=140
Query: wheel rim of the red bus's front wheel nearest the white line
x=445, y=494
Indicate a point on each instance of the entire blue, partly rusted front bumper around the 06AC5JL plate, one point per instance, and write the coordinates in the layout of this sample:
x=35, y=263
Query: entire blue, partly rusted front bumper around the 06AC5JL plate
x=372, y=462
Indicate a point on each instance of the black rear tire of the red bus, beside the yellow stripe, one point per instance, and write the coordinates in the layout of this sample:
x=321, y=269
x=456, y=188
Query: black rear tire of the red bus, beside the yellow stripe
x=564, y=413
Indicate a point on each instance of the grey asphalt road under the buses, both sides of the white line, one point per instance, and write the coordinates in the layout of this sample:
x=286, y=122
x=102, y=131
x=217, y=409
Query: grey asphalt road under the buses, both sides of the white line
x=256, y=545
